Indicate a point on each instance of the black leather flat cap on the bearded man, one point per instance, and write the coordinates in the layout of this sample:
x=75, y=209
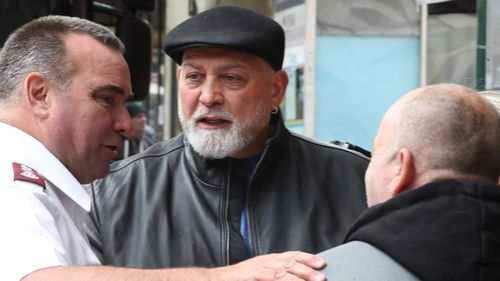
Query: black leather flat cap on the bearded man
x=232, y=28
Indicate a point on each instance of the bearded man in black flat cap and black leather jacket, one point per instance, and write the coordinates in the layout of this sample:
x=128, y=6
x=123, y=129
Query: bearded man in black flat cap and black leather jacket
x=236, y=183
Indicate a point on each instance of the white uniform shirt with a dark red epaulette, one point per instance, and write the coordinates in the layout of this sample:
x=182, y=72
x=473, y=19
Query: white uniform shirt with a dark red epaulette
x=39, y=226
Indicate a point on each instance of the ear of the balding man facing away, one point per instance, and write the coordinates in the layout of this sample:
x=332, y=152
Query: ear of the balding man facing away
x=404, y=172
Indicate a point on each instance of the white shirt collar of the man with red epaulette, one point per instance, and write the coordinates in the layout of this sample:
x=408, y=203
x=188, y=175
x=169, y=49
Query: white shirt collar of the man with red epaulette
x=21, y=147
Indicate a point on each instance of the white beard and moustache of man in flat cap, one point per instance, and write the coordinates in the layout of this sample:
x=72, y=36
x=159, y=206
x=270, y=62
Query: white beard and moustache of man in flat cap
x=221, y=143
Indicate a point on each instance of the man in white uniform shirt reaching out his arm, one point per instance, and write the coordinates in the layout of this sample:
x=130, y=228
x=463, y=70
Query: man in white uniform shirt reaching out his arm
x=63, y=86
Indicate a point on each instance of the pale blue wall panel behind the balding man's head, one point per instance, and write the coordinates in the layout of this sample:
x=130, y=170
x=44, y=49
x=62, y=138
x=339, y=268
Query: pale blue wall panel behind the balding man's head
x=357, y=79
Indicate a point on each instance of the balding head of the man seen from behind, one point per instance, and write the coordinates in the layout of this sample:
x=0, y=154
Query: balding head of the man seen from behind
x=441, y=131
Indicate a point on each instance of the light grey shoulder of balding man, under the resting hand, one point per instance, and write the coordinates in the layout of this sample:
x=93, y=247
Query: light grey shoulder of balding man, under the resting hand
x=361, y=261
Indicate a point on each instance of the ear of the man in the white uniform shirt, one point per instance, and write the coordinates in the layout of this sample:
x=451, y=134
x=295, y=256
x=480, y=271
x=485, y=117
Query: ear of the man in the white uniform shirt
x=36, y=89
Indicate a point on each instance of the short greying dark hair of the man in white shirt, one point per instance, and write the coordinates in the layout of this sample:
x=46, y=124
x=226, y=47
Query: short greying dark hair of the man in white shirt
x=39, y=46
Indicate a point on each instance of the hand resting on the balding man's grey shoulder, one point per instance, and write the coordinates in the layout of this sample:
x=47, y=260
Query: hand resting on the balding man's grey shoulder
x=288, y=266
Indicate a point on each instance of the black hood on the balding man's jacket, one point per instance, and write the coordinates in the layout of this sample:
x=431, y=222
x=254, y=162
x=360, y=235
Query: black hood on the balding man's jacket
x=444, y=230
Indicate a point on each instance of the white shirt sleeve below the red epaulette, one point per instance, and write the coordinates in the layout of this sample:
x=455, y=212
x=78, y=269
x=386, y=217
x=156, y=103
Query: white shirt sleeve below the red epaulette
x=29, y=232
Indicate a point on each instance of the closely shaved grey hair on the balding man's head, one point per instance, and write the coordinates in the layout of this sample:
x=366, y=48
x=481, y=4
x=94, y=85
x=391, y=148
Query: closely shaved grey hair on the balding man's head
x=453, y=128
